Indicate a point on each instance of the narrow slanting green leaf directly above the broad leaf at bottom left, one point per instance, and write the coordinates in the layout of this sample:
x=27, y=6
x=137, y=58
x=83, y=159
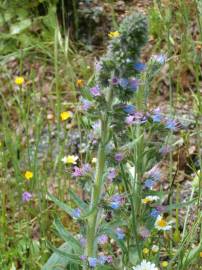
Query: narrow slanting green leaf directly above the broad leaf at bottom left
x=65, y=235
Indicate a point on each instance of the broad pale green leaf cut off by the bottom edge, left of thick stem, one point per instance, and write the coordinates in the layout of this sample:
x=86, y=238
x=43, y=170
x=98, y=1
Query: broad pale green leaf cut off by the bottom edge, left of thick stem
x=58, y=261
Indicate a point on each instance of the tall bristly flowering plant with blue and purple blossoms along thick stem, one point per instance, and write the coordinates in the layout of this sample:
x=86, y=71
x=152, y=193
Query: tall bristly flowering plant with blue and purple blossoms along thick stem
x=120, y=208
